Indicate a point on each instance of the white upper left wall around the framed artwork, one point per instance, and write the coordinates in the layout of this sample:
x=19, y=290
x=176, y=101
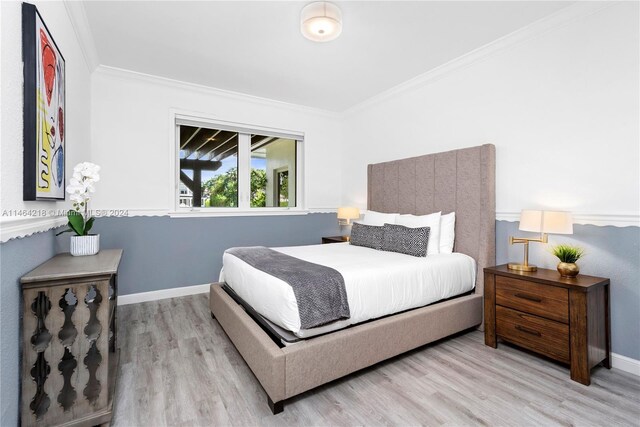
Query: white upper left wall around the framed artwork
x=78, y=89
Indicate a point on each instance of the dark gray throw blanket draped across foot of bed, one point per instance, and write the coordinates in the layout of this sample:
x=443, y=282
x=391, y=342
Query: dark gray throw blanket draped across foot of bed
x=319, y=290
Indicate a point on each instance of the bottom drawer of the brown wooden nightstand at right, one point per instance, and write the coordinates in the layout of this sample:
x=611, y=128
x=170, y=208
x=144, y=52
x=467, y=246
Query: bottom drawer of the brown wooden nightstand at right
x=535, y=333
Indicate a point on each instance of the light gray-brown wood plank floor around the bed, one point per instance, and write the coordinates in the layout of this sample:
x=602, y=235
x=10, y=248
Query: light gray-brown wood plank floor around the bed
x=177, y=367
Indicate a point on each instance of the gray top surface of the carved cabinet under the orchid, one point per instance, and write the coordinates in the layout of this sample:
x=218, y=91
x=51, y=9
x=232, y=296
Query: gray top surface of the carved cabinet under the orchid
x=66, y=266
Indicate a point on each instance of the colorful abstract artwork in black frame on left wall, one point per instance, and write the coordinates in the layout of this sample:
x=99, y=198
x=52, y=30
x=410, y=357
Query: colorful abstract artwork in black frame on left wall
x=44, y=110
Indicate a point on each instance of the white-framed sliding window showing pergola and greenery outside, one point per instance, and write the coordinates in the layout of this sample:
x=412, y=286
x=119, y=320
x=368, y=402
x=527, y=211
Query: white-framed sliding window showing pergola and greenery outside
x=222, y=168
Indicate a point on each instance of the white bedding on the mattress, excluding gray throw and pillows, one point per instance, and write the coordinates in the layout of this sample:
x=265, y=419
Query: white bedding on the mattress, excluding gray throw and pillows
x=378, y=283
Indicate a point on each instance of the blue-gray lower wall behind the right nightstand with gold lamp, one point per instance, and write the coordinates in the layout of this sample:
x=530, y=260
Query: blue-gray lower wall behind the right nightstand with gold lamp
x=612, y=252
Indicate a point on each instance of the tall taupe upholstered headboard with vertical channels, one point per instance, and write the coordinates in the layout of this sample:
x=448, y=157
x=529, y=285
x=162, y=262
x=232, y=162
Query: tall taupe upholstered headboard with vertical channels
x=461, y=180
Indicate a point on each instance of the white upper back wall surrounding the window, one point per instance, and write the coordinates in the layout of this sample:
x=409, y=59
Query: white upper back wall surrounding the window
x=132, y=137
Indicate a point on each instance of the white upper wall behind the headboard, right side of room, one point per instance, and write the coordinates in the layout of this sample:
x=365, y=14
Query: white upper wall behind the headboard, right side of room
x=561, y=108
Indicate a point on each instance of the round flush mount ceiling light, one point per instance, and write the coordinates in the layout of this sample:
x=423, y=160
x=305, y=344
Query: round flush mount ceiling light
x=321, y=21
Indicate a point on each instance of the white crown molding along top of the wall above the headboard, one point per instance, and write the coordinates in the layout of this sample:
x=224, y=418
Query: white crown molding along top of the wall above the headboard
x=555, y=20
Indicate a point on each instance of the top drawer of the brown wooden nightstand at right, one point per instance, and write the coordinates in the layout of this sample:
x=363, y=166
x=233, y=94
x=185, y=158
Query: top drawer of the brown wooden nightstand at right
x=546, y=301
